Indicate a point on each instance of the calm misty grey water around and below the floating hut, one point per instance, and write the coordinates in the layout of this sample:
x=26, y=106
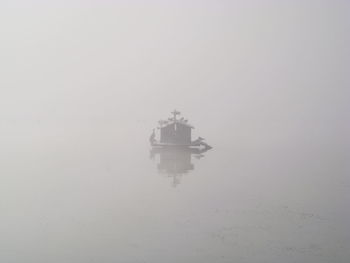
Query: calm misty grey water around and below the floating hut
x=79, y=193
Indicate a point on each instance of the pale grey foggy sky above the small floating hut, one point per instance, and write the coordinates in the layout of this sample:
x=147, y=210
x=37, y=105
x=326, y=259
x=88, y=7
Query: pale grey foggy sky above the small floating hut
x=282, y=58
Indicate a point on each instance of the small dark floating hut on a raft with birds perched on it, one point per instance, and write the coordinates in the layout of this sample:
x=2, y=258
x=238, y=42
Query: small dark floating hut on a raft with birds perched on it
x=176, y=132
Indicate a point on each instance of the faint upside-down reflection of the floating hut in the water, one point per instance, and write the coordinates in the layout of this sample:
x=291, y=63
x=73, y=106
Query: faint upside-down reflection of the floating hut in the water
x=175, y=162
